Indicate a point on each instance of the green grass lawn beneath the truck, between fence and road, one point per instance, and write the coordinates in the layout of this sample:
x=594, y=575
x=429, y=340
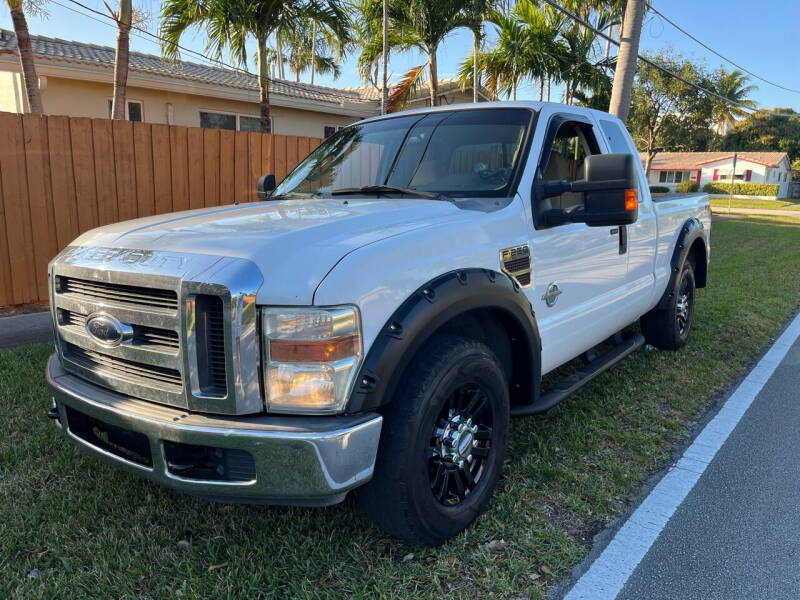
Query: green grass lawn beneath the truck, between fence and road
x=73, y=527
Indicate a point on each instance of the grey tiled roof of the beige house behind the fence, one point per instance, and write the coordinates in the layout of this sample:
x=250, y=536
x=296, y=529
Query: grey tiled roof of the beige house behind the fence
x=103, y=56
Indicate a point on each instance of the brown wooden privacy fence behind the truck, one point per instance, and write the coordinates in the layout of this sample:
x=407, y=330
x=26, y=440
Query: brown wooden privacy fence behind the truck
x=61, y=176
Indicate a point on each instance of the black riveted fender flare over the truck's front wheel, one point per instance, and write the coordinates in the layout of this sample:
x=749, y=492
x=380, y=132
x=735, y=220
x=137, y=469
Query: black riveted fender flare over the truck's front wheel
x=429, y=308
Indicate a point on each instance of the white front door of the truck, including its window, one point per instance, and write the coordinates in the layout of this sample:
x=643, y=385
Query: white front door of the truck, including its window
x=579, y=272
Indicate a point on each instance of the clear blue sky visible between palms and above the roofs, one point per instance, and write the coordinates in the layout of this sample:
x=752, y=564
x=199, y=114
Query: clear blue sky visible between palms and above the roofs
x=758, y=36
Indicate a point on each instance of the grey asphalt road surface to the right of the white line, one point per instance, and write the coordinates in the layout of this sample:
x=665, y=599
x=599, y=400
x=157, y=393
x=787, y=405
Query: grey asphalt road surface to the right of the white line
x=737, y=533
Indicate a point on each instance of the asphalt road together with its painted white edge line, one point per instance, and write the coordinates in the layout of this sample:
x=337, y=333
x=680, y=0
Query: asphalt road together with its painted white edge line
x=724, y=522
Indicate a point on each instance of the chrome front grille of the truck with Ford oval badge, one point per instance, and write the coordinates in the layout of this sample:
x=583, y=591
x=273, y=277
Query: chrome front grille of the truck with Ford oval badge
x=180, y=325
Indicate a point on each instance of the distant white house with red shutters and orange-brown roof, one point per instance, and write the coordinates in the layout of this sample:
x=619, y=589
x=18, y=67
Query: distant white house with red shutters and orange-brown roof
x=670, y=168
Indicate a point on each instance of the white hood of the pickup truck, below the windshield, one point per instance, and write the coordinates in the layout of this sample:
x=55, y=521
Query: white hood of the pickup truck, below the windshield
x=294, y=243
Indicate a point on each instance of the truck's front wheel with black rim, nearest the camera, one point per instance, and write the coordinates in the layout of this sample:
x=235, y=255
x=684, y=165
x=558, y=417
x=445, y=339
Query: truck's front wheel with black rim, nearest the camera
x=443, y=443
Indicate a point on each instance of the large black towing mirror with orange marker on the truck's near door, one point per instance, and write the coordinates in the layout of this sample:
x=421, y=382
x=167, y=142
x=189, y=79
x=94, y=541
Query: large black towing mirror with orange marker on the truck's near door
x=609, y=191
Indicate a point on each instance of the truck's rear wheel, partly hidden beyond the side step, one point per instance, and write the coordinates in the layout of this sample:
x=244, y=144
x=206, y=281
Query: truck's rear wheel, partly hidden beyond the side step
x=669, y=328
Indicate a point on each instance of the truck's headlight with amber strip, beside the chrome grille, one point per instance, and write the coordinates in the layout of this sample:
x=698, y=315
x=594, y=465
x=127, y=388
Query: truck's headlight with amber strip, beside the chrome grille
x=312, y=357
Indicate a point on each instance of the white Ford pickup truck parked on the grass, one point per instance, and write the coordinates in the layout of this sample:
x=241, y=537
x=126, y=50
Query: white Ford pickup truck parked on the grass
x=376, y=320
